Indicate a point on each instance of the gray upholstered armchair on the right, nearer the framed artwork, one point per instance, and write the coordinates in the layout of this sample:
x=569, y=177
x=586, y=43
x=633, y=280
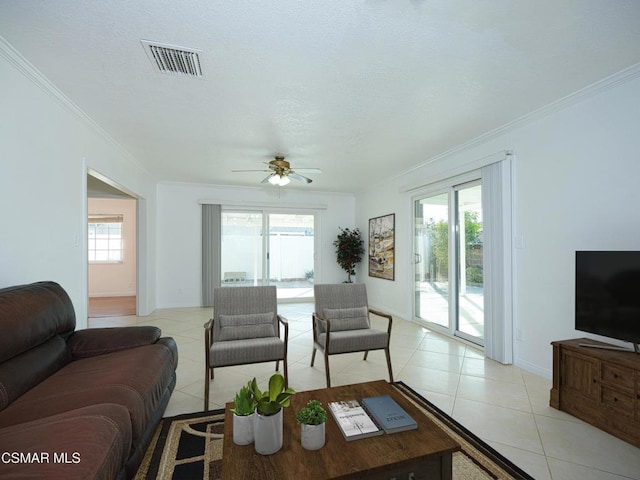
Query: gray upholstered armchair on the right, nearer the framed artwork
x=341, y=324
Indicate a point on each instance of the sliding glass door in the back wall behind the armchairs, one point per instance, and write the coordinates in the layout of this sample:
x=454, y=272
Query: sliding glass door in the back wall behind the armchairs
x=284, y=256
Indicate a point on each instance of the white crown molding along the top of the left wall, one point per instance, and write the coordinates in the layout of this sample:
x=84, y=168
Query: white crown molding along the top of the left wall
x=21, y=64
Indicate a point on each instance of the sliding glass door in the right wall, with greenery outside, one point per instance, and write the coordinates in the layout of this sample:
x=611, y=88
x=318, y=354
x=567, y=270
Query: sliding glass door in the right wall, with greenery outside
x=448, y=261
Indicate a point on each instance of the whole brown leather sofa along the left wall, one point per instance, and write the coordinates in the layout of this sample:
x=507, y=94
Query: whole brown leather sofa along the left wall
x=76, y=404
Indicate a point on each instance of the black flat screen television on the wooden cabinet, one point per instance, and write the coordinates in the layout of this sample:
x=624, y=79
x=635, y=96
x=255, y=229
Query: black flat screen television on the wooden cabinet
x=608, y=294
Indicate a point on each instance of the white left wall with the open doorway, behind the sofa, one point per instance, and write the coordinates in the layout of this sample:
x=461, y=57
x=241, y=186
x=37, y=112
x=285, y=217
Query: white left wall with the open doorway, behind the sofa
x=47, y=147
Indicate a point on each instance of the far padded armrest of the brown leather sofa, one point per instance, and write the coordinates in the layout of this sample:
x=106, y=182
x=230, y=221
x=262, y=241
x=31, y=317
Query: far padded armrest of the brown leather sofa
x=98, y=341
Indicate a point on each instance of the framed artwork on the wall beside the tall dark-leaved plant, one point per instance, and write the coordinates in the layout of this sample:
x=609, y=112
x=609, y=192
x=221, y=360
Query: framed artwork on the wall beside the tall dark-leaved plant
x=382, y=246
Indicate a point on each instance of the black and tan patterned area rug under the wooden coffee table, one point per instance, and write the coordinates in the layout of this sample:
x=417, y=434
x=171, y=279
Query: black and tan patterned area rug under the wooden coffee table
x=189, y=447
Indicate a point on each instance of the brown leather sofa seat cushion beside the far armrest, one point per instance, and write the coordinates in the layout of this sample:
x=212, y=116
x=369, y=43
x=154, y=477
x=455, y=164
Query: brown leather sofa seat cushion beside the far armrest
x=135, y=378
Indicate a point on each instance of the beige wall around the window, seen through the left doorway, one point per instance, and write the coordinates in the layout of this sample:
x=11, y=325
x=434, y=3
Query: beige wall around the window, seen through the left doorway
x=116, y=279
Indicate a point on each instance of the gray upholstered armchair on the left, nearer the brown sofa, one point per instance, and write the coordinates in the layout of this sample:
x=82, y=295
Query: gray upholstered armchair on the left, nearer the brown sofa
x=245, y=328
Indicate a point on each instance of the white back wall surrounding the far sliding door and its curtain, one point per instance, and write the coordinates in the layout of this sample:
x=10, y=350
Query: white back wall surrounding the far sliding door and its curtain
x=179, y=231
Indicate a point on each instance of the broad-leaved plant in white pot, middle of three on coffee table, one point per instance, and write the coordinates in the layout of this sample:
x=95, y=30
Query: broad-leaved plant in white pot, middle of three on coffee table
x=268, y=421
